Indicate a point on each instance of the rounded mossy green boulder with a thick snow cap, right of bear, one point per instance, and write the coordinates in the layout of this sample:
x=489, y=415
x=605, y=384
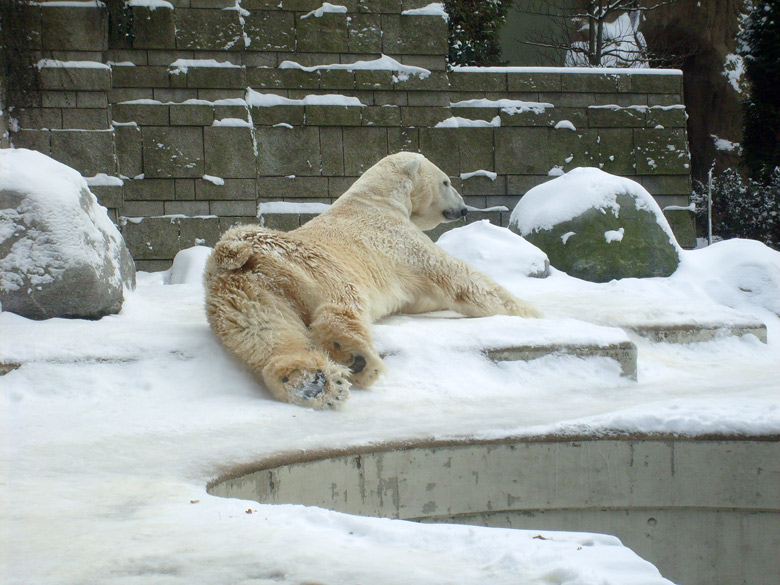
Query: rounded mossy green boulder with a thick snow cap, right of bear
x=597, y=227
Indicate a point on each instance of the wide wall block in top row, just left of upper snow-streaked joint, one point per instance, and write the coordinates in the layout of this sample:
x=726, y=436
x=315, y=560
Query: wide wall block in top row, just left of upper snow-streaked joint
x=208, y=29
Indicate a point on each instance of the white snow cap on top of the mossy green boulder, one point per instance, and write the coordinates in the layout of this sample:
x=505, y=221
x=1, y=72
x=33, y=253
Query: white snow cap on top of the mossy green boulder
x=573, y=193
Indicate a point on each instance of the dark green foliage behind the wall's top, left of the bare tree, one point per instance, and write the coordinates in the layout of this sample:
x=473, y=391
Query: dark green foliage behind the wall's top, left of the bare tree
x=474, y=26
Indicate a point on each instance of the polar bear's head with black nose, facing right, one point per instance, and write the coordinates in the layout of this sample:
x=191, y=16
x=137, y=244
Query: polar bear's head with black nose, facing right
x=433, y=199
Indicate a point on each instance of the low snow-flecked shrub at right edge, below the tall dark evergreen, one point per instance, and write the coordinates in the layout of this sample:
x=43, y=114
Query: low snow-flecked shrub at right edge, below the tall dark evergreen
x=742, y=208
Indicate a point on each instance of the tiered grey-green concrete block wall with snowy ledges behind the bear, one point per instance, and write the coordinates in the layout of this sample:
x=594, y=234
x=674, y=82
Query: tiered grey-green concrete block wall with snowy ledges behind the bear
x=188, y=115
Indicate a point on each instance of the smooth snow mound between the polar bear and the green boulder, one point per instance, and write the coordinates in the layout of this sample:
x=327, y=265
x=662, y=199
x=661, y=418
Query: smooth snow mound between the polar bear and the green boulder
x=495, y=250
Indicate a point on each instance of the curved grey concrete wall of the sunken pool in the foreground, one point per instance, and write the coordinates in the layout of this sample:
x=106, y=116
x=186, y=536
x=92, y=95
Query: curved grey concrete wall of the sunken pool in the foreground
x=703, y=511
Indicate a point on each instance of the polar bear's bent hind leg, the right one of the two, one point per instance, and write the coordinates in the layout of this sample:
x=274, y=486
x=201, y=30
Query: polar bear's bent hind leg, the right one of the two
x=343, y=332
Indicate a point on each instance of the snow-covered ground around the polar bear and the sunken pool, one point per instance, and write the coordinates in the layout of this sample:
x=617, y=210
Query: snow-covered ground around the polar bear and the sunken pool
x=112, y=429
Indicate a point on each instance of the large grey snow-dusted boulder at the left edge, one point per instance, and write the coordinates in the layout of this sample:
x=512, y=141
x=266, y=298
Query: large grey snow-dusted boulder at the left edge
x=60, y=254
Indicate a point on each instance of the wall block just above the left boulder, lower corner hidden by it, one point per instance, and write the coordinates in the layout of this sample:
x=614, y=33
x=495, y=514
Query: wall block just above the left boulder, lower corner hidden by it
x=88, y=151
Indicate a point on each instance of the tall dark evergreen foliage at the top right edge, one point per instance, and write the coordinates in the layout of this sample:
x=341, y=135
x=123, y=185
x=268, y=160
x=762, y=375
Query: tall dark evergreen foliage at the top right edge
x=761, y=48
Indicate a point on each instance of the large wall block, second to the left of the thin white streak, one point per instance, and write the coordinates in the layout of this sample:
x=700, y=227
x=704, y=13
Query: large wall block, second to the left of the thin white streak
x=172, y=152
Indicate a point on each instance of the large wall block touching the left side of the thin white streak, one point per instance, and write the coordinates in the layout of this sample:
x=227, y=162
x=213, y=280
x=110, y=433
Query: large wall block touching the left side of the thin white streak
x=229, y=152
